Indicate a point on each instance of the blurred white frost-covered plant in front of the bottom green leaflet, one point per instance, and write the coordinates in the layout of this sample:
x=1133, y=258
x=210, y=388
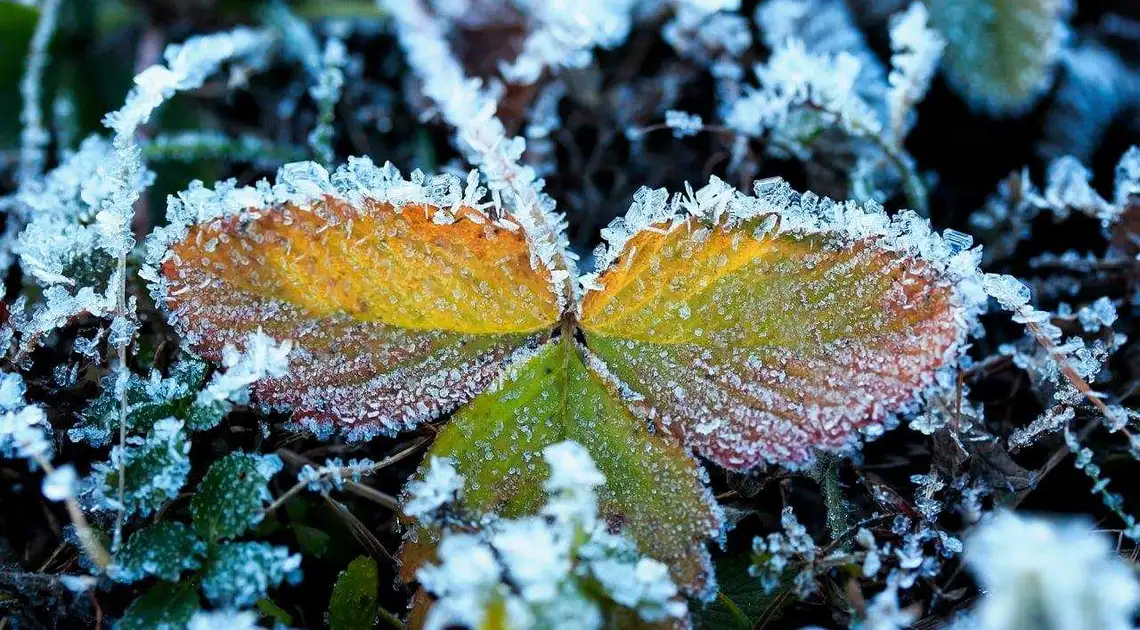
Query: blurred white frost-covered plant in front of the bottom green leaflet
x=543, y=571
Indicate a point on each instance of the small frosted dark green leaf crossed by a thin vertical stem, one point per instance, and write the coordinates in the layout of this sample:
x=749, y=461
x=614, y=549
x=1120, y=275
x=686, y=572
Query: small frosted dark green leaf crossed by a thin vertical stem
x=156, y=467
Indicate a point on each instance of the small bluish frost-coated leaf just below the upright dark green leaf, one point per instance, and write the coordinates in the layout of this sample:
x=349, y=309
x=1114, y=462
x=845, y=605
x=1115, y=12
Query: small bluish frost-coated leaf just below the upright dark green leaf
x=239, y=575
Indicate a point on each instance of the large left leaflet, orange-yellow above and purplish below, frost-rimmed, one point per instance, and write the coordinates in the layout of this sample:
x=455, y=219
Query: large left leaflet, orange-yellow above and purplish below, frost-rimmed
x=402, y=301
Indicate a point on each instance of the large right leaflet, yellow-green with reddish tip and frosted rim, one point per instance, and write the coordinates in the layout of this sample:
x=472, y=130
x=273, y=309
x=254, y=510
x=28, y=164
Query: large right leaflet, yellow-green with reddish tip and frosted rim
x=763, y=329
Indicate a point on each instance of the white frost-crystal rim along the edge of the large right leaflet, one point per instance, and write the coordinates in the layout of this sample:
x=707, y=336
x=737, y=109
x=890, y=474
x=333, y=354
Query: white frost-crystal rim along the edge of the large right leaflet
x=776, y=209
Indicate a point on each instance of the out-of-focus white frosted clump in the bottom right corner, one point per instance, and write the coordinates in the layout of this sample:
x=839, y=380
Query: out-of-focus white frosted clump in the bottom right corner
x=1049, y=574
